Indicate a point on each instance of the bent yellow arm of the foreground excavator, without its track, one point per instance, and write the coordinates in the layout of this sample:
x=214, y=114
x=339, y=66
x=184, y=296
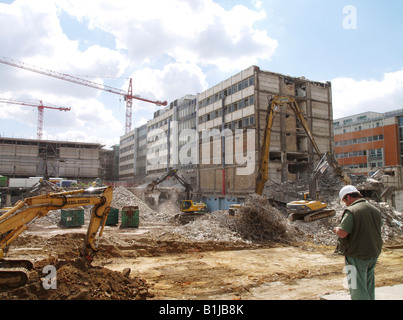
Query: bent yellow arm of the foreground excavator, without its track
x=17, y=219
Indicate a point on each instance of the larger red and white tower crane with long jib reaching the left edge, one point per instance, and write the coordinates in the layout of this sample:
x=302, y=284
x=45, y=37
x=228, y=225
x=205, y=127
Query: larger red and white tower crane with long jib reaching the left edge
x=128, y=96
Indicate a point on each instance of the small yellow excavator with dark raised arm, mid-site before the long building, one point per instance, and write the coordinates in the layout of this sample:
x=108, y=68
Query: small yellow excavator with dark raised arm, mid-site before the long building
x=189, y=209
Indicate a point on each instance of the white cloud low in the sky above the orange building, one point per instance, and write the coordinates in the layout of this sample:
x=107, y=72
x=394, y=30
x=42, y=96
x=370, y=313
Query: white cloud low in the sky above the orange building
x=352, y=96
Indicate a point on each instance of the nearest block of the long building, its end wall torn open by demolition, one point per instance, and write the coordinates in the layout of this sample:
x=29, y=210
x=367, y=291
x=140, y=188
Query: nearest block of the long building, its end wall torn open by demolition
x=241, y=102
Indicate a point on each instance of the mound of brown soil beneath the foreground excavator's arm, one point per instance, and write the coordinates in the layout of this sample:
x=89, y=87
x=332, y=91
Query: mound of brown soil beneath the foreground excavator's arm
x=76, y=280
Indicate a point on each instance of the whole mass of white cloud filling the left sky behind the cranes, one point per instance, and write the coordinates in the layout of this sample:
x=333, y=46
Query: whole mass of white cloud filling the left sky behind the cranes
x=163, y=45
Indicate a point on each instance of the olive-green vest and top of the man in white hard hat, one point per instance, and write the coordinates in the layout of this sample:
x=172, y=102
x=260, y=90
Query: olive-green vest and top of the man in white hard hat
x=363, y=223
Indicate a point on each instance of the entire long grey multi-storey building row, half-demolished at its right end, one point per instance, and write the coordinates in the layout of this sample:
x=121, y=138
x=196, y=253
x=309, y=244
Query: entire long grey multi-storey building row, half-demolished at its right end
x=217, y=136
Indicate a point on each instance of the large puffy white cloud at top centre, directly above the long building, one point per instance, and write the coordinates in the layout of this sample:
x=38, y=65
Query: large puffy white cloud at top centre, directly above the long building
x=198, y=32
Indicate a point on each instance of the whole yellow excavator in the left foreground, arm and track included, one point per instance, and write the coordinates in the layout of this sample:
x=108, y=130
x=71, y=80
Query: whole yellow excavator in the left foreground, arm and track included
x=17, y=219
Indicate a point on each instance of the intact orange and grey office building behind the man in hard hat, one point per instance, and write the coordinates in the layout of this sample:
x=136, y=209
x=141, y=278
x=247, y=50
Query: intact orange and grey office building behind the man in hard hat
x=368, y=141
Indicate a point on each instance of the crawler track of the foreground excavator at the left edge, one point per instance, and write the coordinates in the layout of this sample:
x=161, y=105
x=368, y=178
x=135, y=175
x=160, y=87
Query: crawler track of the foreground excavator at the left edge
x=14, y=273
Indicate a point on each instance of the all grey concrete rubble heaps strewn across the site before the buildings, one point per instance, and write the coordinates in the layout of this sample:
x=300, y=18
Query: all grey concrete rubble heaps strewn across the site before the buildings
x=219, y=226
